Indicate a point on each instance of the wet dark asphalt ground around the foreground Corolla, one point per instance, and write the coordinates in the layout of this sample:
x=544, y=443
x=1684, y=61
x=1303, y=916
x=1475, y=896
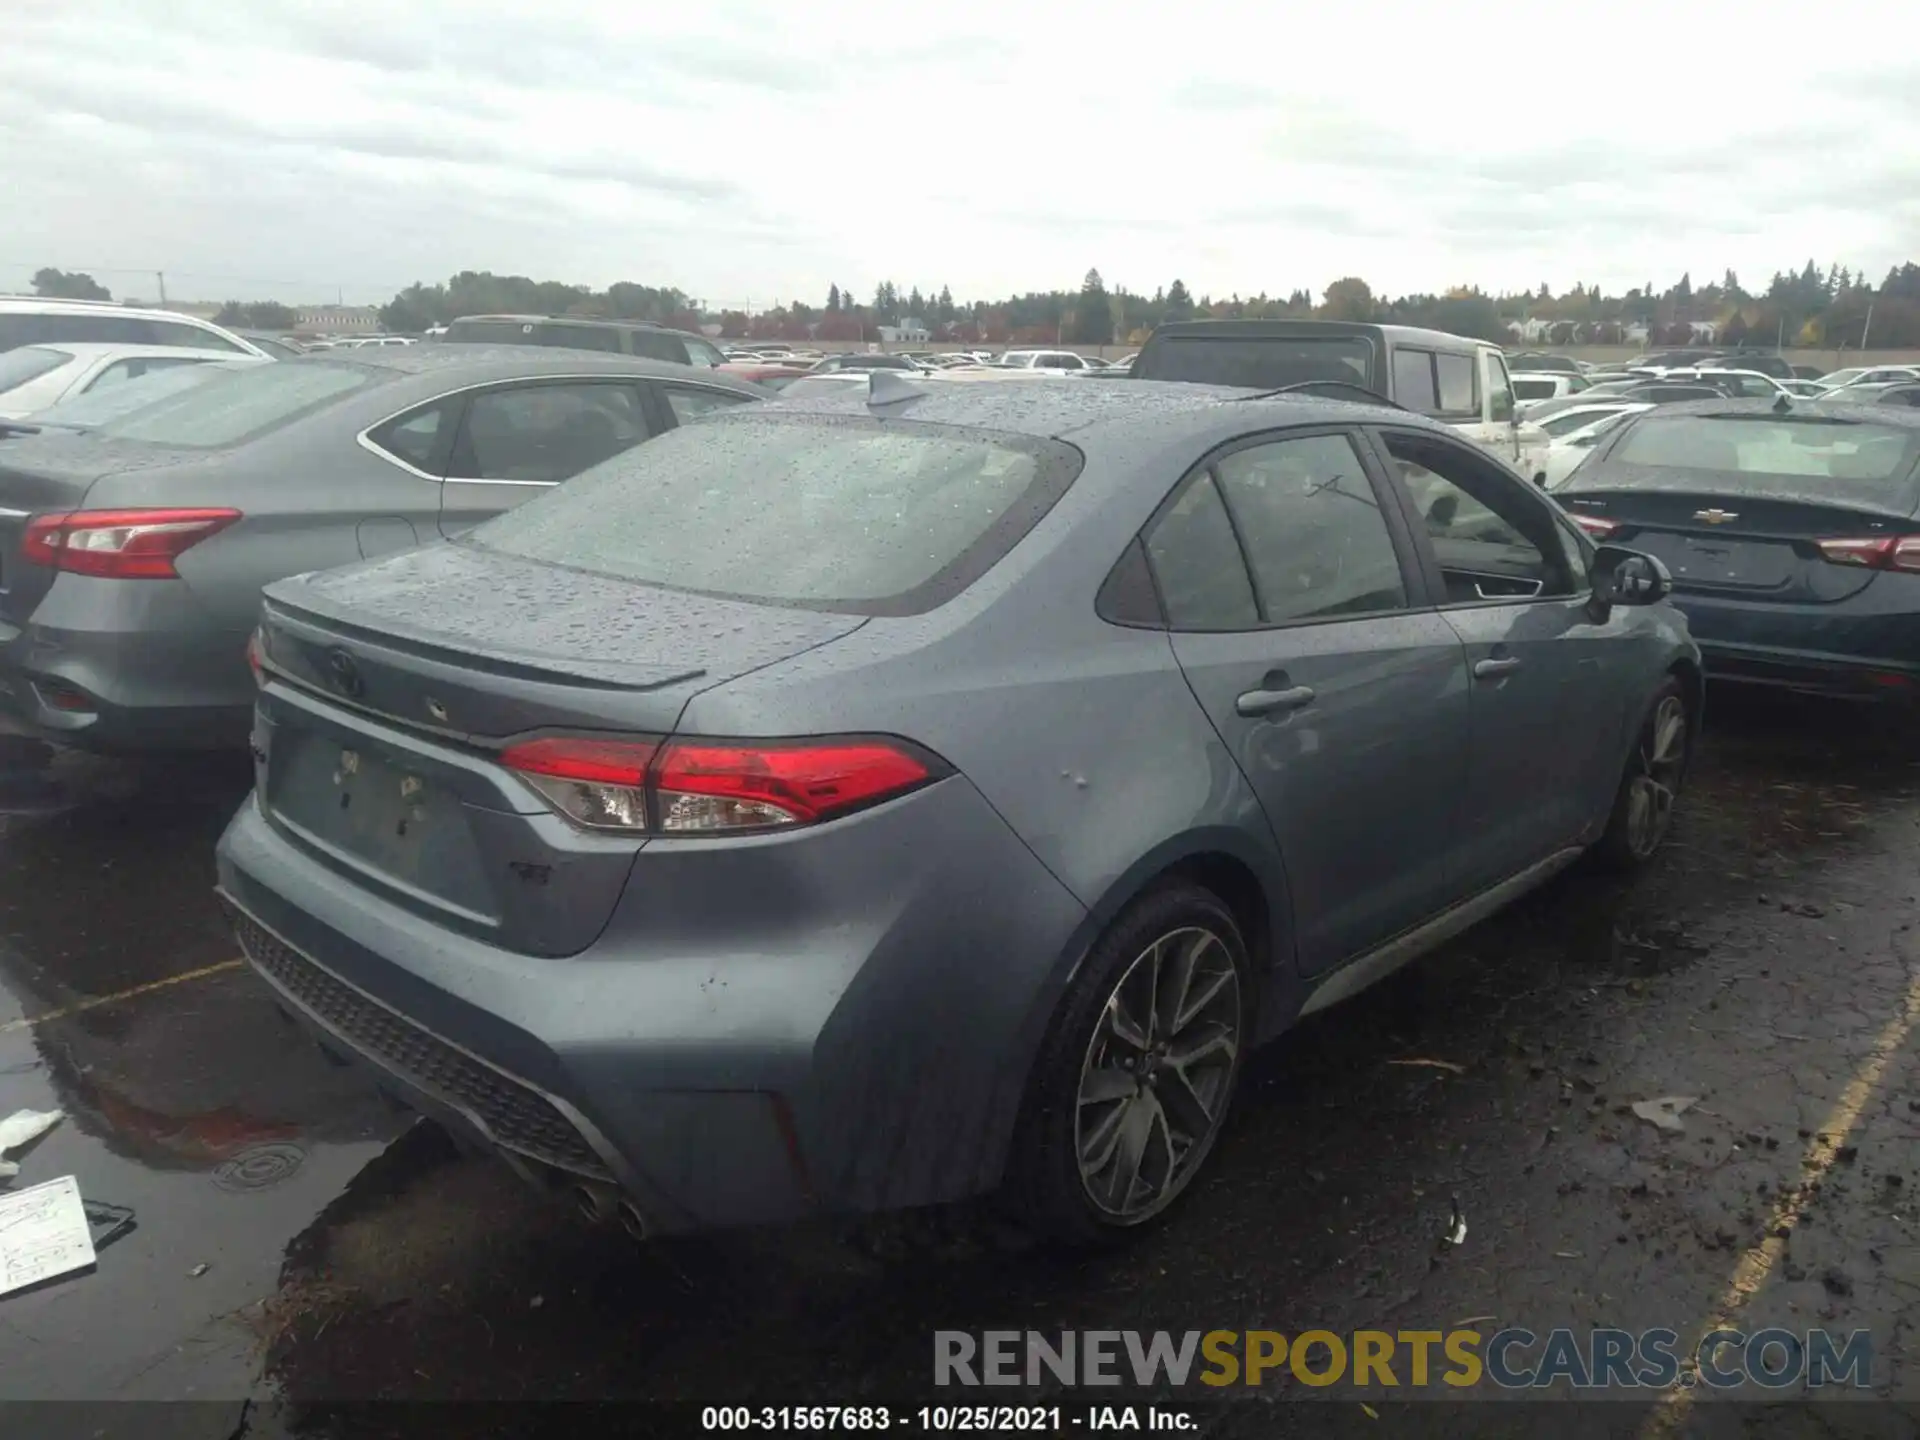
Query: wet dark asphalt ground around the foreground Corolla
x=1767, y=965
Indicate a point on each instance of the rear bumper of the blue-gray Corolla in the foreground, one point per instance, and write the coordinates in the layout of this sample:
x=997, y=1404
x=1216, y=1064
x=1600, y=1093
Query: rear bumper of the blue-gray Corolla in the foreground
x=852, y=1040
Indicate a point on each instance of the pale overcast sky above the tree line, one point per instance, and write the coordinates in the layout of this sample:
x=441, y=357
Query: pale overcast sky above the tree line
x=756, y=153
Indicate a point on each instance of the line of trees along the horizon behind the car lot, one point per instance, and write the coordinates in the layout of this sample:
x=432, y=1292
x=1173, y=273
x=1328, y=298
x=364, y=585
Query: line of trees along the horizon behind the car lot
x=1835, y=308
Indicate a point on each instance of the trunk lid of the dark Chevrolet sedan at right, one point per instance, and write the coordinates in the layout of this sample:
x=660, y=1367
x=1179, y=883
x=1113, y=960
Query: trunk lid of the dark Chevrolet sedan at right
x=1758, y=548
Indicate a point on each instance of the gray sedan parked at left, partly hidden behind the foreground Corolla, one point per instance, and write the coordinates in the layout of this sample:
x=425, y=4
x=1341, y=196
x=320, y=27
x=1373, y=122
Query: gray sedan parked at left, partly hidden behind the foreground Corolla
x=132, y=558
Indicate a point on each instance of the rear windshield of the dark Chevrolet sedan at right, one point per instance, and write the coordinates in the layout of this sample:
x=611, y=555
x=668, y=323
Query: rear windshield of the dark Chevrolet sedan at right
x=1861, y=462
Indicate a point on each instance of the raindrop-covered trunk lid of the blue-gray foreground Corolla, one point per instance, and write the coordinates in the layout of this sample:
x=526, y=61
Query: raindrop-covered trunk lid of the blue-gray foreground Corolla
x=395, y=686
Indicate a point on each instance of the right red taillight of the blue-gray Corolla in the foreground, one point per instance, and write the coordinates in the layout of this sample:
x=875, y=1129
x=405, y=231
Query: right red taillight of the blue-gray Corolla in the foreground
x=715, y=788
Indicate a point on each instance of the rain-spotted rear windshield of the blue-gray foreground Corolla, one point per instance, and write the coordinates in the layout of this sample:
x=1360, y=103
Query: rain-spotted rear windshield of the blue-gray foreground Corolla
x=830, y=514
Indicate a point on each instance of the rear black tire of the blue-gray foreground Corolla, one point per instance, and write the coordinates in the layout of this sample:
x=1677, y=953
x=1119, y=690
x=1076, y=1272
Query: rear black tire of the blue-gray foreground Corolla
x=1047, y=1186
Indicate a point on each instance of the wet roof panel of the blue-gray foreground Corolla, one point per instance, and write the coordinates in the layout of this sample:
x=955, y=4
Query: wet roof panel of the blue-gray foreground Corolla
x=1055, y=408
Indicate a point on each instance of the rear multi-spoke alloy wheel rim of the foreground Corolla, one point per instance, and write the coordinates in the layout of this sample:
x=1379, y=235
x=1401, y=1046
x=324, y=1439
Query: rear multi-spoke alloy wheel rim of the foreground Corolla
x=1159, y=1072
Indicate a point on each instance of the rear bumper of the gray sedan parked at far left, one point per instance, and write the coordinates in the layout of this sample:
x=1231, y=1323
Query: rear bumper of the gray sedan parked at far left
x=126, y=690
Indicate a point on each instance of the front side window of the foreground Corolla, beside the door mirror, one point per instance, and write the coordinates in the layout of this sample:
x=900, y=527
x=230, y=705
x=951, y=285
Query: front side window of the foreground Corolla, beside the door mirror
x=1491, y=539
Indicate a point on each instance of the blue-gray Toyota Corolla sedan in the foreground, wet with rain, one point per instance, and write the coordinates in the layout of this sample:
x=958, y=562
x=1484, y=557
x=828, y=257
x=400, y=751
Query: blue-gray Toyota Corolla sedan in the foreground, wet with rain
x=886, y=800
